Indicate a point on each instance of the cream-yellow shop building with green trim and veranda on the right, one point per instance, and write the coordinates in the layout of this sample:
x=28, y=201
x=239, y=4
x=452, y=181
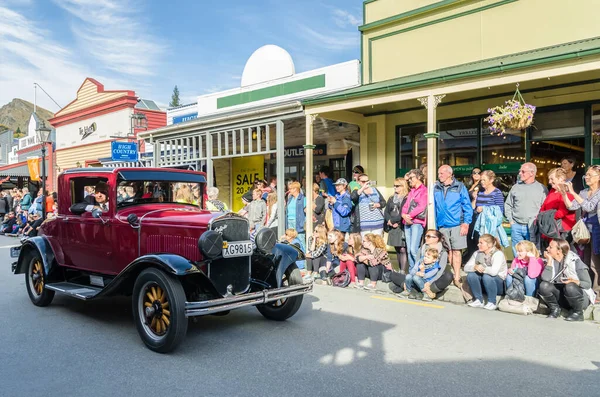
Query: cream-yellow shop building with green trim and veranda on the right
x=432, y=69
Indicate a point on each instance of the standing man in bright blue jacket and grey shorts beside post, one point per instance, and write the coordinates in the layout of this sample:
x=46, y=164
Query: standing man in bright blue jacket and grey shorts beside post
x=453, y=215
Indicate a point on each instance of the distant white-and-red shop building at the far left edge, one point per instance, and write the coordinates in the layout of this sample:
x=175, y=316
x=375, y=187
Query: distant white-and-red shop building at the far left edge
x=14, y=153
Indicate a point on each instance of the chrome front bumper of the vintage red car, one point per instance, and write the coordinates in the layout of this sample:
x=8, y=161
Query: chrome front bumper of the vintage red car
x=193, y=309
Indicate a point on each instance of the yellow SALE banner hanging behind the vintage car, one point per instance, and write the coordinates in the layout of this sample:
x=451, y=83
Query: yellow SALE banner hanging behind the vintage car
x=244, y=171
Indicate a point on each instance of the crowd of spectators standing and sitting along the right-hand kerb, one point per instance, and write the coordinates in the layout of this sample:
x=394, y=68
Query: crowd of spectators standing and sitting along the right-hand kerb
x=351, y=222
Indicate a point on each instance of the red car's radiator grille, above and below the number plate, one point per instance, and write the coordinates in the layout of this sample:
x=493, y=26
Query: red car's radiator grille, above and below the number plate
x=231, y=271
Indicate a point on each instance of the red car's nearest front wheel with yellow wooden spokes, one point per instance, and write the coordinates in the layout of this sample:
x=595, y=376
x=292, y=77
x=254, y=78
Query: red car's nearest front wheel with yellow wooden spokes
x=159, y=310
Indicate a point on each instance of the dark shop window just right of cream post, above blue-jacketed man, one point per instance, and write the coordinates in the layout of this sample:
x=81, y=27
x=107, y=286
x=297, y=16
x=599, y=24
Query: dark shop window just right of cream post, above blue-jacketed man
x=458, y=146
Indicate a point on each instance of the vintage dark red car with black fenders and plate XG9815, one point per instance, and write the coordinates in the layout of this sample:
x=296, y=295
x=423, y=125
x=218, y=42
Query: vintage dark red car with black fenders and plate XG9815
x=152, y=239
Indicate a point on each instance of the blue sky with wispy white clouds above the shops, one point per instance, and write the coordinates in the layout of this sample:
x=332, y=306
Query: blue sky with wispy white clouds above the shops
x=150, y=46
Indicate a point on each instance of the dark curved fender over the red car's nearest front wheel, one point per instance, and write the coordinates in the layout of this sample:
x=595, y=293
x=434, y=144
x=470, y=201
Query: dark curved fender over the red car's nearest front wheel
x=169, y=263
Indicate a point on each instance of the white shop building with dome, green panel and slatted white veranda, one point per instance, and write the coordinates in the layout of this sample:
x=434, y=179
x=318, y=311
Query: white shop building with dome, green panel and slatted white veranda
x=258, y=129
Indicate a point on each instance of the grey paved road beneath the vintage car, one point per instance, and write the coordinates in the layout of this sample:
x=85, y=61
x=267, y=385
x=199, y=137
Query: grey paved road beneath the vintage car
x=341, y=343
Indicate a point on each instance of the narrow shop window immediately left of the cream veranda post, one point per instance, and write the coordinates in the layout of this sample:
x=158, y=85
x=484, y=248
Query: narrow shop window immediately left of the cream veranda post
x=412, y=148
